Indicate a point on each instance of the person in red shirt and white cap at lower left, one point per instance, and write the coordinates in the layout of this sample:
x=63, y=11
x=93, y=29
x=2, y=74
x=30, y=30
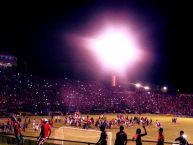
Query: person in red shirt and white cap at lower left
x=45, y=132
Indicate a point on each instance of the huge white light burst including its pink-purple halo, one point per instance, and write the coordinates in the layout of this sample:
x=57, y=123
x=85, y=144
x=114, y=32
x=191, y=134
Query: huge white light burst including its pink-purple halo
x=115, y=43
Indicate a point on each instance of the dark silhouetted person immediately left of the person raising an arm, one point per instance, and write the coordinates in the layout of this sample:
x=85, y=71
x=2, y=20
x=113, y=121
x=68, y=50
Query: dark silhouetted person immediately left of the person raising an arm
x=121, y=137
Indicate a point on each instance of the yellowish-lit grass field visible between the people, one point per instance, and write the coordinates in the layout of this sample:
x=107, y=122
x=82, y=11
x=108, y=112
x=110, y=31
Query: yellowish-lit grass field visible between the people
x=171, y=130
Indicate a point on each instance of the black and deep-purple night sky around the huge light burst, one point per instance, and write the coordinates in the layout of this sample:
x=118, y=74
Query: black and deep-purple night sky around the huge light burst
x=35, y=33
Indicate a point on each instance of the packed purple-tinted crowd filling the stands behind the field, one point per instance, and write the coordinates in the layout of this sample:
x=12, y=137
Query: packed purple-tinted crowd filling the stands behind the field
x=30, y=93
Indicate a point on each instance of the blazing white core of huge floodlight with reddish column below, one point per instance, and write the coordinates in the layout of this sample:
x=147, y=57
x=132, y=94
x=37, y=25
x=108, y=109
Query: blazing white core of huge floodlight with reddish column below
x=116, y=49
